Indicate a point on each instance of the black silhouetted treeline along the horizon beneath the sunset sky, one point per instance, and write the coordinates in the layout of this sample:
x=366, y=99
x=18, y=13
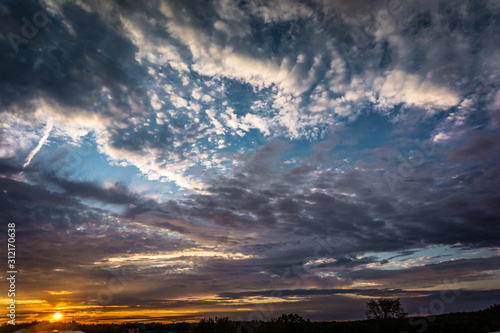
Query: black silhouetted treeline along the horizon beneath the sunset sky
x=487, y=320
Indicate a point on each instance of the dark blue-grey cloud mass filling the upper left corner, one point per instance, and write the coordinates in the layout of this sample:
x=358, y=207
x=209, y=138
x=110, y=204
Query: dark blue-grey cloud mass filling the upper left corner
x=68, y=67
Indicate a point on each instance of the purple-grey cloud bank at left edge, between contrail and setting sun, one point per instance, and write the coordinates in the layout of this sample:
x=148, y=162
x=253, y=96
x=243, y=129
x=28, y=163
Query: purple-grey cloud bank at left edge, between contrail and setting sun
x=51, y=222
